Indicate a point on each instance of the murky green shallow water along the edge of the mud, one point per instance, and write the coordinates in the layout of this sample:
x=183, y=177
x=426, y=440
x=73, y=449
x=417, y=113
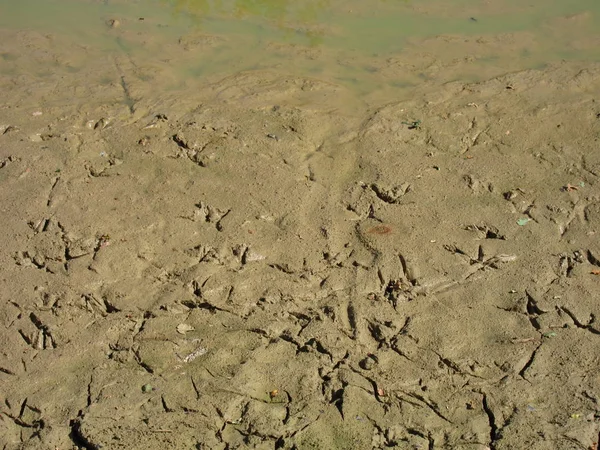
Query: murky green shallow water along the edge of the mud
x=363, y=45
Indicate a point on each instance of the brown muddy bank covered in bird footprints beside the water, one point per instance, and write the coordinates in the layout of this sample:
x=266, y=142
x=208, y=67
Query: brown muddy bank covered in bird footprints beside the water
x=254, y=265
